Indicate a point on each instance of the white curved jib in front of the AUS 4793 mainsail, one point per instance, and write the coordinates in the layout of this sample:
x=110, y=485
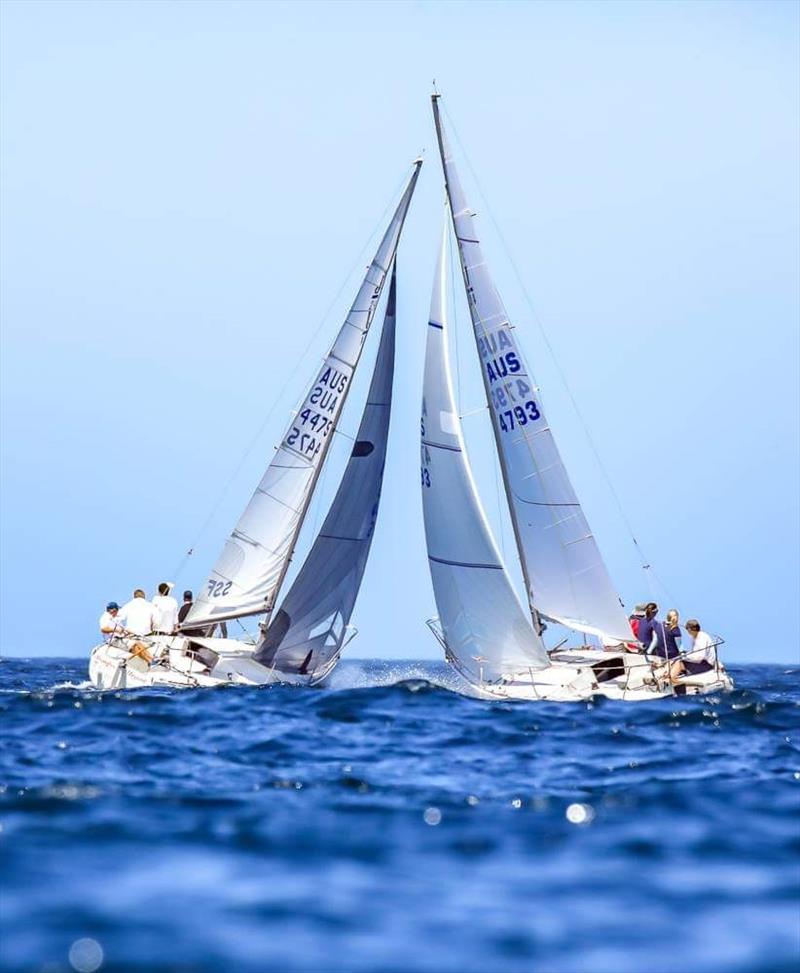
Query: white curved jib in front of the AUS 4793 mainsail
x=484, y=626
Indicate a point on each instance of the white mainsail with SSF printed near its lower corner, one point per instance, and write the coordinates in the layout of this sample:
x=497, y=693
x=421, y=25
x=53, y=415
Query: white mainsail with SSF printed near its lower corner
x=253, y=563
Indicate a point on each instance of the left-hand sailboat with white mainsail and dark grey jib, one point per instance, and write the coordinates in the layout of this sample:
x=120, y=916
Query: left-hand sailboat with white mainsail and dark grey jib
x=302, y=640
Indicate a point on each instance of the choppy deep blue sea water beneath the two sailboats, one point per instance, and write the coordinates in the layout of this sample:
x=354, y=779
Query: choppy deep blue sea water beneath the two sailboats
x=388, y=824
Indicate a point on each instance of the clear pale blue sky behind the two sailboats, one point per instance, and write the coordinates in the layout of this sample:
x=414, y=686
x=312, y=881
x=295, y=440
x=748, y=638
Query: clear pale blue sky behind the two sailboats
x=187, y=186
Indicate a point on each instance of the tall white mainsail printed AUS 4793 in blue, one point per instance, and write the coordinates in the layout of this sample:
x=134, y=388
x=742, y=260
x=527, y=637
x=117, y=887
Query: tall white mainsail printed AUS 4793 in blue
x=565, y=576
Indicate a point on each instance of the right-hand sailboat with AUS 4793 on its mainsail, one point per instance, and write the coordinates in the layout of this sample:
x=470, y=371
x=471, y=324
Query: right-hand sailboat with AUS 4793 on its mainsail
x=498, y=648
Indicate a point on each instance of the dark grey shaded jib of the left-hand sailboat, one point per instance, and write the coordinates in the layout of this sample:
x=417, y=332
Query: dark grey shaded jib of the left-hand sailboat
x=309, y=629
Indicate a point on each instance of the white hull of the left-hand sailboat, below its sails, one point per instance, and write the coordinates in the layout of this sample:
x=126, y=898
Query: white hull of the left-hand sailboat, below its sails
x=219, y=662
